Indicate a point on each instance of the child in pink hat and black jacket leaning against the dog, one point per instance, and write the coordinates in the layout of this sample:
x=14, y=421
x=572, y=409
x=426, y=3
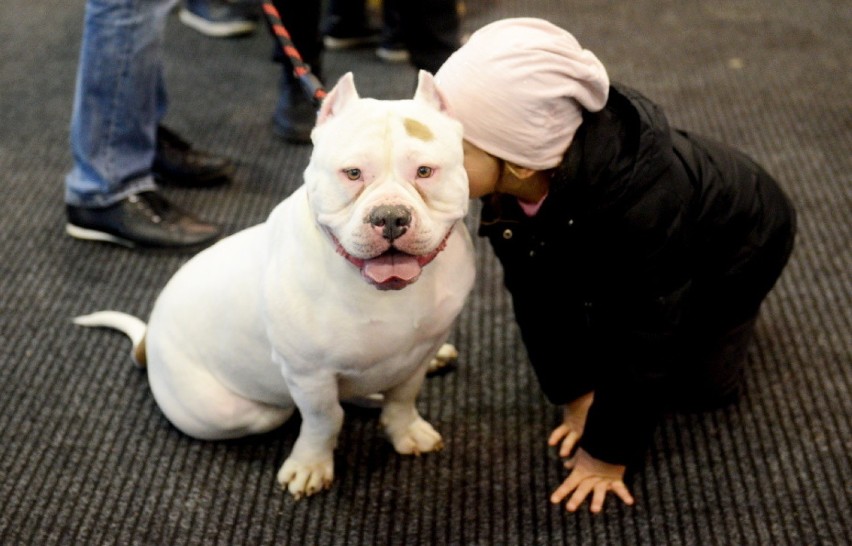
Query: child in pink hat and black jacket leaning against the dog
x=637, y=255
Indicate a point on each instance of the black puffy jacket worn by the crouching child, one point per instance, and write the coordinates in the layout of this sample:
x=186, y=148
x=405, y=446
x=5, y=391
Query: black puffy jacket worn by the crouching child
x=647, y=233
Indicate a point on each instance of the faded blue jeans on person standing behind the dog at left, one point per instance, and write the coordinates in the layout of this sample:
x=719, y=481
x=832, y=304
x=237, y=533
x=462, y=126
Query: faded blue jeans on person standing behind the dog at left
x=119, y=100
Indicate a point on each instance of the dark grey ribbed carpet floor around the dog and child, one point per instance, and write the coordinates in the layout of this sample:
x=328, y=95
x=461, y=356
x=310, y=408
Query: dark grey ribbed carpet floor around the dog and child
x=86, y=457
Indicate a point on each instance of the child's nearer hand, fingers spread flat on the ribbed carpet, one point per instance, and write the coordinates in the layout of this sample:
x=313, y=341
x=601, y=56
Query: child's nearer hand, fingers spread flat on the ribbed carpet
x=590, y=475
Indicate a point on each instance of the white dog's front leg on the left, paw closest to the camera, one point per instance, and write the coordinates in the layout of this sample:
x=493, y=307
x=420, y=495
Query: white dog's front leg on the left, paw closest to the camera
x=310, y=466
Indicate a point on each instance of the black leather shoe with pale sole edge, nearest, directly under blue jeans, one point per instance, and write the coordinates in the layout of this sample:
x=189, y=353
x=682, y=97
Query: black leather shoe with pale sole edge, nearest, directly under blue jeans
x=145, y=219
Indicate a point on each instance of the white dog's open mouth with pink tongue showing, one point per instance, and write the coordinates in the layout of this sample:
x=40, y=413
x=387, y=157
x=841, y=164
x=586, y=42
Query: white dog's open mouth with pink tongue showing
x=392, y=269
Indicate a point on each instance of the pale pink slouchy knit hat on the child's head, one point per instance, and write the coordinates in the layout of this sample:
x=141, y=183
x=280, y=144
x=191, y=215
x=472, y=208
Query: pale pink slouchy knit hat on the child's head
x=518, y=86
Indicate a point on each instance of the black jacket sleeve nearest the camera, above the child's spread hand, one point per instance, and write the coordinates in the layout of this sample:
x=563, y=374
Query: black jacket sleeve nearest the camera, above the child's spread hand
x=637, y=314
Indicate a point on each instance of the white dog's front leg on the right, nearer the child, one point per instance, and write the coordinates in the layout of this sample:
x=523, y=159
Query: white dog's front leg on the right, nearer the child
x=409, y=433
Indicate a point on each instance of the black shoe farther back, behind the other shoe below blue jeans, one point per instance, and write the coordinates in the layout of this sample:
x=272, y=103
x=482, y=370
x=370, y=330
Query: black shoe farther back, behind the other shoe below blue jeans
x=177, y=163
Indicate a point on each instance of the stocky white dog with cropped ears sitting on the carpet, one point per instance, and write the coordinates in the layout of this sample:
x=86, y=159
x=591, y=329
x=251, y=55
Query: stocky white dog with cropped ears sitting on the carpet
x=348, y=289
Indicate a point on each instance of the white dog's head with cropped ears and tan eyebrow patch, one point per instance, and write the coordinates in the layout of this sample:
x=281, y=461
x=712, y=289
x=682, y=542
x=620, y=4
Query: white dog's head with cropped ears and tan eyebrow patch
x=386, y=179
